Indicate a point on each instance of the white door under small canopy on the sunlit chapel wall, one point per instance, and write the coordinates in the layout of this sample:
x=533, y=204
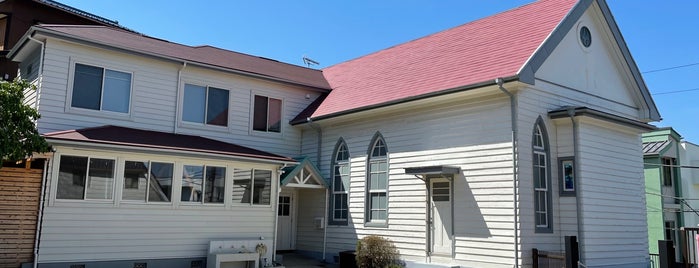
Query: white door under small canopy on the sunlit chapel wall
x=441, y=217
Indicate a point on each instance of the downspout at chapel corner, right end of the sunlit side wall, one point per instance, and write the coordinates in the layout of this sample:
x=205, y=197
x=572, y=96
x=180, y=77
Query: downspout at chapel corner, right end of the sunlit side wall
x=513, y=120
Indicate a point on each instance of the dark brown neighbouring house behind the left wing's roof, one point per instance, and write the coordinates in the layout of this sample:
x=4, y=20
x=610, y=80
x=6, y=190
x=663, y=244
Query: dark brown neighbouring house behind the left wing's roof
x=17, y=16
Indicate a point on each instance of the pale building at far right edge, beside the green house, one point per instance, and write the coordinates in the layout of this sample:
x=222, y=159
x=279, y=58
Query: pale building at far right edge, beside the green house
x=689, y=172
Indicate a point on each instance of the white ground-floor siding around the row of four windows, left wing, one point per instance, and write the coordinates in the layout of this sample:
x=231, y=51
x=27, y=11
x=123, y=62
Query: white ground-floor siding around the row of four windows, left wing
x=109, y=230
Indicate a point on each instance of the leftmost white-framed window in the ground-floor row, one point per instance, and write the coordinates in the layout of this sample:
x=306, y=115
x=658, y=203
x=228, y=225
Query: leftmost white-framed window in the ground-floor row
x=81, y=177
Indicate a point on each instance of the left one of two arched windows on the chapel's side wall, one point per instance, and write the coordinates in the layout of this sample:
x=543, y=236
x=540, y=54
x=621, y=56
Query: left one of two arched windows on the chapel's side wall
x=340, y=184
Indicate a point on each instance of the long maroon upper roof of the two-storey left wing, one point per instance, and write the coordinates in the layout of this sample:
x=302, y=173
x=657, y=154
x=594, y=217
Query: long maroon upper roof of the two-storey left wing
x=198, y=54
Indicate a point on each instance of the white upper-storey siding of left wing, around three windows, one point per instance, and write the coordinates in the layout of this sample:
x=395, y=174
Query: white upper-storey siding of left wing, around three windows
x=156, y=96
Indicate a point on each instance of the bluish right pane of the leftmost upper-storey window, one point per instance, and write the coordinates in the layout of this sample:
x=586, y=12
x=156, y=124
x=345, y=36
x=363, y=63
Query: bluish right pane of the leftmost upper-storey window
x=117, y=90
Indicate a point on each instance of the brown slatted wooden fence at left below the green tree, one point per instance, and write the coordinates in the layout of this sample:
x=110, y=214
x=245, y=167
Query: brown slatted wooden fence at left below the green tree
x=20, y=189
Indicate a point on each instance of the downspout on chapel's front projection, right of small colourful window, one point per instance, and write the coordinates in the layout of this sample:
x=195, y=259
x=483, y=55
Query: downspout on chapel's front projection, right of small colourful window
x=578, y=191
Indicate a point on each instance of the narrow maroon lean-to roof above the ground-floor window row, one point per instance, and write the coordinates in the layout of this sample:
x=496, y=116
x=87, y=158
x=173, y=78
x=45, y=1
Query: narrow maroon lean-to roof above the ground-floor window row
x=115, y=135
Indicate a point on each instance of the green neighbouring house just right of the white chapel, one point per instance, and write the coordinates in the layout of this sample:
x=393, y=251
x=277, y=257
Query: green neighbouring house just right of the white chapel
x=664, y=199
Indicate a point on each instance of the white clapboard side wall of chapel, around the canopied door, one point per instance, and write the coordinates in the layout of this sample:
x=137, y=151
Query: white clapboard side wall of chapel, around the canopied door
x=451, y=132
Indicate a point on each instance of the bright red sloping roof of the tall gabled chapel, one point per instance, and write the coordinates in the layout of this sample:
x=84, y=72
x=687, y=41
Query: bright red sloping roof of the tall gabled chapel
x=473, y=53
